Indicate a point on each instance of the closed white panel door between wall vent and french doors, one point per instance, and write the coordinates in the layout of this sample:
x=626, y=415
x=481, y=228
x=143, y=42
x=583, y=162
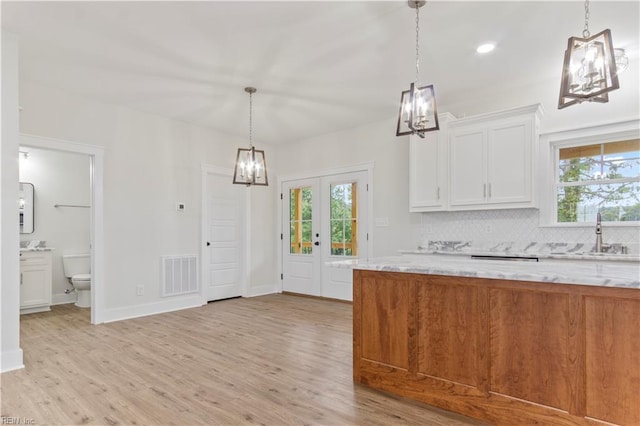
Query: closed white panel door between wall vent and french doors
x=225, y=224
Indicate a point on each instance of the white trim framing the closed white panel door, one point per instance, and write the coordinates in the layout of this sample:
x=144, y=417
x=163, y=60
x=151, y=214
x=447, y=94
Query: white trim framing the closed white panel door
x=246, y=253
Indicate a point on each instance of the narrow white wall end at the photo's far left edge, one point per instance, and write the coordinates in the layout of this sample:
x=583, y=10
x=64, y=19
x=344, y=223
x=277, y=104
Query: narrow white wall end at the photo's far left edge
x=10, y=352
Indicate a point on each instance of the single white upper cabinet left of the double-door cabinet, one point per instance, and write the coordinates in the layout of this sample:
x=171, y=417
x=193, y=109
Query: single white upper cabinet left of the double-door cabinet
x=428, y=169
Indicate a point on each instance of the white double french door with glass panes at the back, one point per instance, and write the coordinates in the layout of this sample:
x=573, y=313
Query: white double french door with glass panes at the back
x=324, y=219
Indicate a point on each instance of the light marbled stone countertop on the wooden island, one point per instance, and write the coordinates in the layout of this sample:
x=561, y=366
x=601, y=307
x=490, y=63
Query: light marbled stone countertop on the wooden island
x=596, y=273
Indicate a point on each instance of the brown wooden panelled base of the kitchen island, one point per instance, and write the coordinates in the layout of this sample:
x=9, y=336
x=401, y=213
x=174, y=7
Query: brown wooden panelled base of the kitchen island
x=508, y=352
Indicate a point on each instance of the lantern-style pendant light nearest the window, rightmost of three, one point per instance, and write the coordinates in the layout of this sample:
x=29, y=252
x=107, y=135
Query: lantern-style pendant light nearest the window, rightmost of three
x=589, y=72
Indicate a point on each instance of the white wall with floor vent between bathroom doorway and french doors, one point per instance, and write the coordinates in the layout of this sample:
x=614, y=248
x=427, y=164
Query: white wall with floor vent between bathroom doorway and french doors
x=150, y=164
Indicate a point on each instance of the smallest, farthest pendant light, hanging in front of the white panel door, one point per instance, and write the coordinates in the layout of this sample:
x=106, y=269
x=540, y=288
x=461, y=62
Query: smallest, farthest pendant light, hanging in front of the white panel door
x=251, y=165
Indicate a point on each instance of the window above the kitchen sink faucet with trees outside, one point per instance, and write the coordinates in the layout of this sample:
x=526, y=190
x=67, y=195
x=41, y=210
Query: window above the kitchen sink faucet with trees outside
x=598, y=177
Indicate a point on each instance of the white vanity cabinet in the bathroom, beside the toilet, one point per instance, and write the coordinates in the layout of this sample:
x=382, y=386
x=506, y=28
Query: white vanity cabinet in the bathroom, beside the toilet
x=35, y=281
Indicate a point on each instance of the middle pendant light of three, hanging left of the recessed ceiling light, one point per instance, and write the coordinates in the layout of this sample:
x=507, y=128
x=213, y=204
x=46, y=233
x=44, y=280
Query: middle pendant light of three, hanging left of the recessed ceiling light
x=418, y=112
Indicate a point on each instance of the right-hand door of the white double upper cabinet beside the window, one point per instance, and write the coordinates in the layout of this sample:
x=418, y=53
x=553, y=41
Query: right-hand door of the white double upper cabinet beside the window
x=509, y=159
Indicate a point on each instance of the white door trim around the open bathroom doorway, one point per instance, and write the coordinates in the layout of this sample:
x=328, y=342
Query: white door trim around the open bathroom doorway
x=96, y=156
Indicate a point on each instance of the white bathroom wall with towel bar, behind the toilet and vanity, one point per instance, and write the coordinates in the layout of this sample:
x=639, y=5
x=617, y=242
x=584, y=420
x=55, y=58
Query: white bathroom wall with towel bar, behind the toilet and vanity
x=59, y=178
